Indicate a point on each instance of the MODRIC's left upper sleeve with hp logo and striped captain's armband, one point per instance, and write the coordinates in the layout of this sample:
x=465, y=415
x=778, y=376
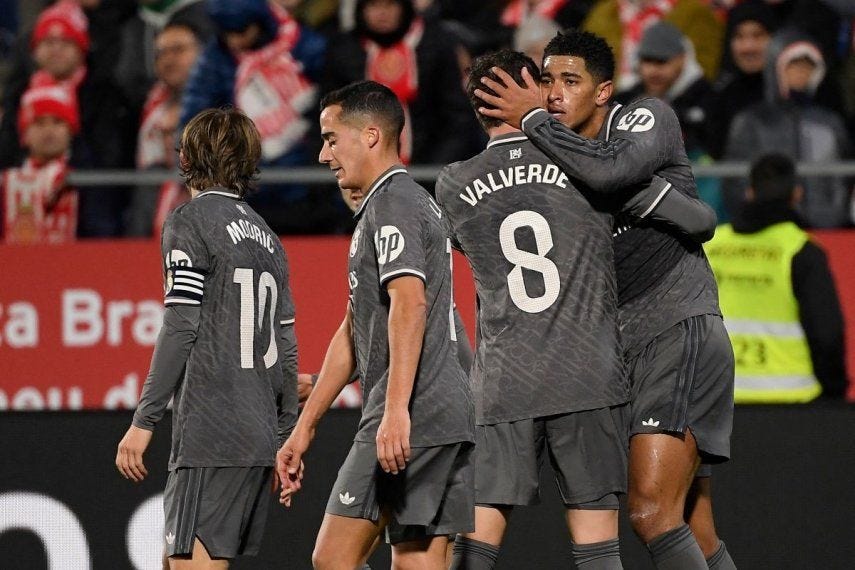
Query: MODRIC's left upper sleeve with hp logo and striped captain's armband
x=185, y=261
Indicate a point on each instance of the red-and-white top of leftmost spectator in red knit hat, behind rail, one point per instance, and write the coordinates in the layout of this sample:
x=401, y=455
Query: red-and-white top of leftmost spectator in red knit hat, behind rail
x=38, y=206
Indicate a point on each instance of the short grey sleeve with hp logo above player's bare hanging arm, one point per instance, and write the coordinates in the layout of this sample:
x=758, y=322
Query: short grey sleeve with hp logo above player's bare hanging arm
x=398, y=236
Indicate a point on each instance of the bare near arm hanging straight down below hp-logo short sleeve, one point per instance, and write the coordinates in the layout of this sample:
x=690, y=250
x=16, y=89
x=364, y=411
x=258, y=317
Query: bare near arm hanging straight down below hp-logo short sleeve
x=407, y=319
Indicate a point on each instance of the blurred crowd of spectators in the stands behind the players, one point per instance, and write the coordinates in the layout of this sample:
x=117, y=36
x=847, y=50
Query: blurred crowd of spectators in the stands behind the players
x=108, y=84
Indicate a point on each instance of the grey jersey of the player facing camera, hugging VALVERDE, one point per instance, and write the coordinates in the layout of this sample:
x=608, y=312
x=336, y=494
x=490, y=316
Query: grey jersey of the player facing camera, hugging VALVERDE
x=663, y=278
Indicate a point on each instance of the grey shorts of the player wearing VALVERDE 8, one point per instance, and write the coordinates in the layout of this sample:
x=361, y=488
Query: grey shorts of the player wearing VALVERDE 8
x=587, y=451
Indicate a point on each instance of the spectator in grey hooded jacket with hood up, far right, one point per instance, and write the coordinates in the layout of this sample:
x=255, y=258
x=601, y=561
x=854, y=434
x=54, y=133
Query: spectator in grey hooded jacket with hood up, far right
x=789, y=121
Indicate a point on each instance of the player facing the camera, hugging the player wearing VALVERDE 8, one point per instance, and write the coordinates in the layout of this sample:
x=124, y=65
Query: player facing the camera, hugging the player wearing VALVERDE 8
x=679, y=356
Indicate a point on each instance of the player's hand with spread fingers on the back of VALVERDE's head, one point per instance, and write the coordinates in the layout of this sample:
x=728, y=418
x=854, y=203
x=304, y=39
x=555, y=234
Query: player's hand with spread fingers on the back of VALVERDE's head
x=511, y=101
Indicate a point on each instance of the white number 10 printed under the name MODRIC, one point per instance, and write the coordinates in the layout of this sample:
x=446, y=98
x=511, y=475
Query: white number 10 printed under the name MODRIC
x=244, y=277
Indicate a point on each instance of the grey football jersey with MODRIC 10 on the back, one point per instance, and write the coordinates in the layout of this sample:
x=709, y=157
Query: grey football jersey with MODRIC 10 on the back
x=219, y=253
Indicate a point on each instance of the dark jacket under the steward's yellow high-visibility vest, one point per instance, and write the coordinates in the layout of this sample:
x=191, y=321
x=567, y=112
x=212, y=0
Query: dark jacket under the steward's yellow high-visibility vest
x=813, y=287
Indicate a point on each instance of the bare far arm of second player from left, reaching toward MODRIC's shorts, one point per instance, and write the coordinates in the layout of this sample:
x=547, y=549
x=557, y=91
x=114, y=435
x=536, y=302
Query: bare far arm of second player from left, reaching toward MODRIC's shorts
x=339, y=364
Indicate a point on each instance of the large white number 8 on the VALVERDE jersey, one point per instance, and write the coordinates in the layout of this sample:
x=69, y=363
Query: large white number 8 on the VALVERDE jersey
x=537, y=262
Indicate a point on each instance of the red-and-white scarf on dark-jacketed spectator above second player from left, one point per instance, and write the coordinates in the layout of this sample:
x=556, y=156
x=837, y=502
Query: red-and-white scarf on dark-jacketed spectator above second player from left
x=395, y=67
